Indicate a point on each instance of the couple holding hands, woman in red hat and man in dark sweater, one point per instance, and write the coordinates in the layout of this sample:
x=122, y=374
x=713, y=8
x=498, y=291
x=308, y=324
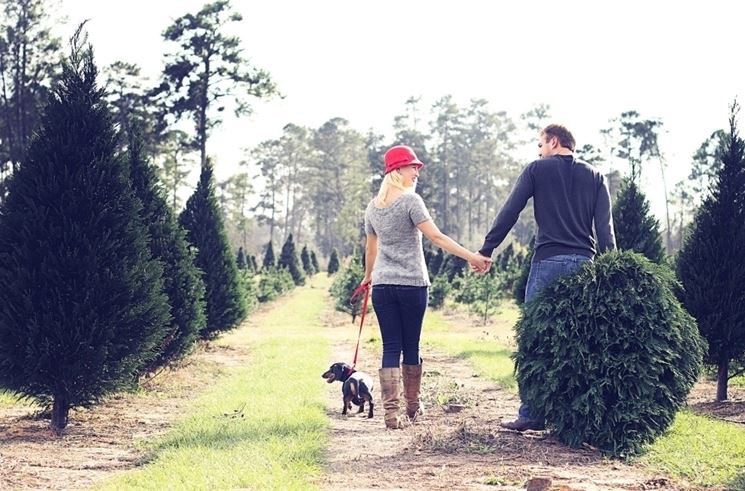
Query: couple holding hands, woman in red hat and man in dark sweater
x=569, y=196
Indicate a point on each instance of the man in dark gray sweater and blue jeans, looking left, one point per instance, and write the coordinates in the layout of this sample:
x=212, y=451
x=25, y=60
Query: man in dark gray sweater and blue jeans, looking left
x=568, y=197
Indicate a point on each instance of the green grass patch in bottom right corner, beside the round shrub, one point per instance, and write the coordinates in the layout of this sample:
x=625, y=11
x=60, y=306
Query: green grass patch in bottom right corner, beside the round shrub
x=704, y=451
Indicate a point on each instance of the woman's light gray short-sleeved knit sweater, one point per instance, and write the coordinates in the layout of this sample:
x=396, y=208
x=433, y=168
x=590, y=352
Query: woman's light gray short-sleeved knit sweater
x=400, y=259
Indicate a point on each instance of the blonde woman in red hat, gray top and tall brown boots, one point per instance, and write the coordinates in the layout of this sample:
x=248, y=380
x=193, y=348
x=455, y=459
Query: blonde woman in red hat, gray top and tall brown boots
x=394, y=263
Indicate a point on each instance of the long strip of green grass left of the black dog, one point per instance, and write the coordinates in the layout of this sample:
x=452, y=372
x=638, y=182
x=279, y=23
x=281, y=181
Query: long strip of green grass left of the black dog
x=261, y=426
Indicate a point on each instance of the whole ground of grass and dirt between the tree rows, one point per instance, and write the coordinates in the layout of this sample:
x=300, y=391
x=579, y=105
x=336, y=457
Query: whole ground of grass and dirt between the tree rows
x=249, y=410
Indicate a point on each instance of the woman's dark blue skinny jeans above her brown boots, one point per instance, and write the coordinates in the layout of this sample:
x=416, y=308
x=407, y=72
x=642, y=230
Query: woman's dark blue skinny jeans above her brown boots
x=400, y=311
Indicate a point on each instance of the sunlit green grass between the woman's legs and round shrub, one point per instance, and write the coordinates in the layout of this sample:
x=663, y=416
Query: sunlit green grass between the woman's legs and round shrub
x=490, y=359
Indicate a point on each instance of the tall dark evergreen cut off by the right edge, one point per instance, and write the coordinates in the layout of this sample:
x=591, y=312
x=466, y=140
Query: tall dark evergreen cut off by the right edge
x=711, y=265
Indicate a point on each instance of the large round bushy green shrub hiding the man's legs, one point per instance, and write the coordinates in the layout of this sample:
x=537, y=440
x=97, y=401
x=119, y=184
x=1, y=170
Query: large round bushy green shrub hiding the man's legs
x=608, y=355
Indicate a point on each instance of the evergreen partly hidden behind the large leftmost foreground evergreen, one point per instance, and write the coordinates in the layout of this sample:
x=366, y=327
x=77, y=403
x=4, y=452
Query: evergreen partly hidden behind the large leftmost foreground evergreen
x=182, y=280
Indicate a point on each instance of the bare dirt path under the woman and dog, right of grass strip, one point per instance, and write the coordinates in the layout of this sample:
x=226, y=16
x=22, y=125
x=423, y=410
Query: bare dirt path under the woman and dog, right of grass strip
x=459, y=444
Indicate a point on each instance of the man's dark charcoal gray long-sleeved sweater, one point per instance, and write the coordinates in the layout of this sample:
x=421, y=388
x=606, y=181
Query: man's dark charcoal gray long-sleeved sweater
x=568, y=197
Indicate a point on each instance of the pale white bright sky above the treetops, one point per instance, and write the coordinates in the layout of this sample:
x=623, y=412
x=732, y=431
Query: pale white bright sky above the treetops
x=680, y=62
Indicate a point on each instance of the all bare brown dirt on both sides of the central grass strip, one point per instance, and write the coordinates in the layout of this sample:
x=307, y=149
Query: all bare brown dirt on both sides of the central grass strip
x=447, y=450
